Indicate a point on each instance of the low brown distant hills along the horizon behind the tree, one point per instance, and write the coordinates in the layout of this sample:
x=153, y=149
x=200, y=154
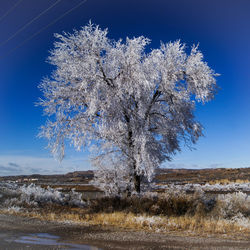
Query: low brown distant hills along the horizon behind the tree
x=182, y=176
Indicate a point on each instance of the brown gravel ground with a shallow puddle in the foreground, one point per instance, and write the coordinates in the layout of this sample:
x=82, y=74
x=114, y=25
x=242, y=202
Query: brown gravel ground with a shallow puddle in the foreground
x=26, y=233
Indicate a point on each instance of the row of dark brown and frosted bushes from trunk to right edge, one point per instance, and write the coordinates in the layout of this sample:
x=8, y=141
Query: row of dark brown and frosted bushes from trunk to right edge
x=176, y=203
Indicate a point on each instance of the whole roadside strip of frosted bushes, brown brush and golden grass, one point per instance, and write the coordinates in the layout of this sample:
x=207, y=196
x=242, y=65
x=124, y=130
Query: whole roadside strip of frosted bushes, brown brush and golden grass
x=174, y=208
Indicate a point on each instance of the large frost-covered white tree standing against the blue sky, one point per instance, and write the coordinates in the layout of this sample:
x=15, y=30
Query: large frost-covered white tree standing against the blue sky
x=135, y=106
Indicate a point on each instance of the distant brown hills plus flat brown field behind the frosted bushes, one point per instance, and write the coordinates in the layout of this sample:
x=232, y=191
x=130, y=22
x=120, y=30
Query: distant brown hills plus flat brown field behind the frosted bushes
x=80, y=180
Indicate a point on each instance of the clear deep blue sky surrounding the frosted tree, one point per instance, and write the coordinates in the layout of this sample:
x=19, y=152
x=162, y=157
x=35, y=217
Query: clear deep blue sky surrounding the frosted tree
x=221, y=27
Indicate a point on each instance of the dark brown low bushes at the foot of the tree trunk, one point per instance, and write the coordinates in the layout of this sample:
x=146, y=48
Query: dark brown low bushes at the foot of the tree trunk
x=167, y=204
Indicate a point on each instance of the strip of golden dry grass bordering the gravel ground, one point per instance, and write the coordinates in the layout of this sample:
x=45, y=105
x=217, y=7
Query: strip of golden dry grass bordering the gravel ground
x=190, y=225
